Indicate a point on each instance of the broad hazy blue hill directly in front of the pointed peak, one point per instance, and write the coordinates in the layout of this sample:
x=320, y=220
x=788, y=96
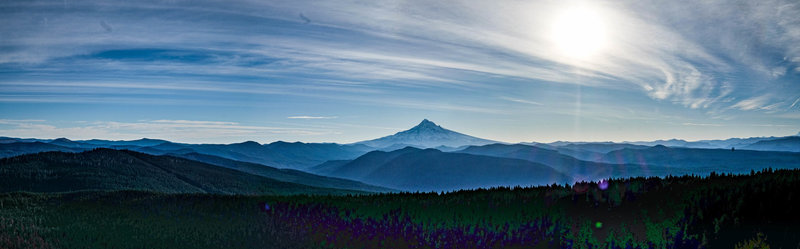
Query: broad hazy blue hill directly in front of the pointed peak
x=413, y=169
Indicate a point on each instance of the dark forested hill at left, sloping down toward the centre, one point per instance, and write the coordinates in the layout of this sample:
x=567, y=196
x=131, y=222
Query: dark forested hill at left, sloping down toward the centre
x=107, y=169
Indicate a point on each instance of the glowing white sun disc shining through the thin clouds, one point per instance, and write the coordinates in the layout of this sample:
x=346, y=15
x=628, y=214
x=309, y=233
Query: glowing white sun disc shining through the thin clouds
x=579, y=33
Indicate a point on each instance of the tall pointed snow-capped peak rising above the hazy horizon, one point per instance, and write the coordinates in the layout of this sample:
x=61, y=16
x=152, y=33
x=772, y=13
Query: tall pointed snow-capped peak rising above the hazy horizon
x=426, y=135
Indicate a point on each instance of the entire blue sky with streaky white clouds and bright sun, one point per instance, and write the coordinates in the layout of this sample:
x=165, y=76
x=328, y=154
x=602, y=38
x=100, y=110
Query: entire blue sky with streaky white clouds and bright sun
x=346, y=71
